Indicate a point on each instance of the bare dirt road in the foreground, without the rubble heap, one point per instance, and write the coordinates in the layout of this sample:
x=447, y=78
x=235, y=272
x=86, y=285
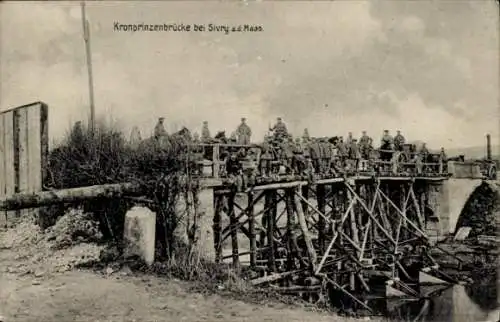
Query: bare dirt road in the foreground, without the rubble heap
x=77, y=295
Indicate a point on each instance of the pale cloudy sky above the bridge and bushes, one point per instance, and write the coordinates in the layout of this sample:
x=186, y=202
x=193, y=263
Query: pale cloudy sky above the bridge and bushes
x=427, y=68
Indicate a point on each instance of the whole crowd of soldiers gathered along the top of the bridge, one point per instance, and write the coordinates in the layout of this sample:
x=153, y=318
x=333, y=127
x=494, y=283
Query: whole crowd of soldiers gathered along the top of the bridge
x=281, y=153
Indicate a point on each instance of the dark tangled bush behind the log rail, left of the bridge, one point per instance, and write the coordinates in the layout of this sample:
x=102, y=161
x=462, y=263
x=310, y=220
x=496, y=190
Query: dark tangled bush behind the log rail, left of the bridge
x=106, y=157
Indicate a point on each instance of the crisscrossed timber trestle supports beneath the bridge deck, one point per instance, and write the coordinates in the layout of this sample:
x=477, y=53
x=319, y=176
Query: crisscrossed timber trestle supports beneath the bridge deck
x=351, y=237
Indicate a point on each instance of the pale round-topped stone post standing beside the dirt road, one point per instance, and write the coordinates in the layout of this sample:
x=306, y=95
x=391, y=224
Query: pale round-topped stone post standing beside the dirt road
x=139, y=234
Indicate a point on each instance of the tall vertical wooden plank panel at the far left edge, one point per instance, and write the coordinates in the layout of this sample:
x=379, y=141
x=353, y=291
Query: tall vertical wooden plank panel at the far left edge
x=23, y=151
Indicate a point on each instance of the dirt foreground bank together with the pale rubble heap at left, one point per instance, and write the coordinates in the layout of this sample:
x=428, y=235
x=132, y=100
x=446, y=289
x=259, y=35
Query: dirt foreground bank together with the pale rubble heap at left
x=38, y=283
